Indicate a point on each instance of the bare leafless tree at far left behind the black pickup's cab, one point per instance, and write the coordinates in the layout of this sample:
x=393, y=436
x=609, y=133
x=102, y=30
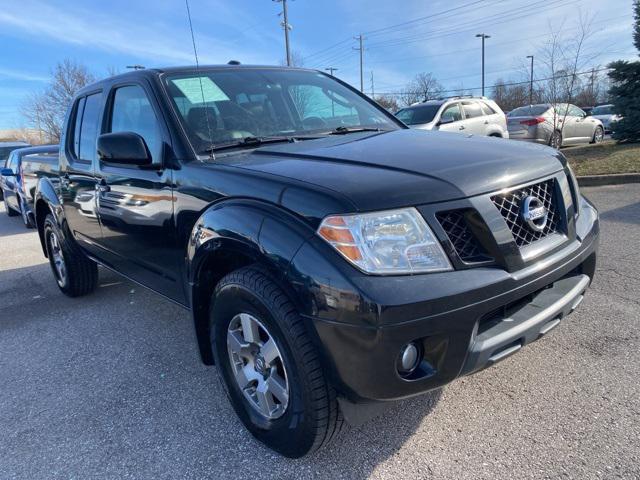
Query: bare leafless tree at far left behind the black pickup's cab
x=46, y=110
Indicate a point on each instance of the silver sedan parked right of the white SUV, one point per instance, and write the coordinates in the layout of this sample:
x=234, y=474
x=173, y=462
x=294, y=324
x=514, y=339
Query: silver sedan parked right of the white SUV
x=558, y=126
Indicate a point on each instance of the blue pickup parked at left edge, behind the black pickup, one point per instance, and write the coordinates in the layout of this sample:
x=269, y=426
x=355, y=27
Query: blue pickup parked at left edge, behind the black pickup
x=19, y=178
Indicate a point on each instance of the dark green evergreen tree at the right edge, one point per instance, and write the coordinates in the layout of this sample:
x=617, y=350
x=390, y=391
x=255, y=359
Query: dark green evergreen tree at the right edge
x=625, y=90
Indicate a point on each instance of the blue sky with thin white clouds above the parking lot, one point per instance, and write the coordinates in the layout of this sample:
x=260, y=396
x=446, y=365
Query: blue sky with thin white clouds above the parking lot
x=399, y=40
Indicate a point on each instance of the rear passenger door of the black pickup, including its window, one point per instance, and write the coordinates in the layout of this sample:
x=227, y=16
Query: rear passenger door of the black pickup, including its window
x=77, y=164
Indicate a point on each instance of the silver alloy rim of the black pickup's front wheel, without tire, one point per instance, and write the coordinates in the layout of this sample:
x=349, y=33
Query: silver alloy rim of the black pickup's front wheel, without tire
x=257, y=366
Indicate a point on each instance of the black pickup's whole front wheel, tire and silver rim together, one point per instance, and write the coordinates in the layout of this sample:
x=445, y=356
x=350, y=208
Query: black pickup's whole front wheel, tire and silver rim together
x=269, y=366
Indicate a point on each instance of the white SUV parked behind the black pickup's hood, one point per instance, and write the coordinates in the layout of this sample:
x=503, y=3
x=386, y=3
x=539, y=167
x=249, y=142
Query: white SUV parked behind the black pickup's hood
x=471, y=115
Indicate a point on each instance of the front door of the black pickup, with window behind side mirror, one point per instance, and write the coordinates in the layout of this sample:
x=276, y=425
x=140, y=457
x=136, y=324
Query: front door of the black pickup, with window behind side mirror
x=135, y=204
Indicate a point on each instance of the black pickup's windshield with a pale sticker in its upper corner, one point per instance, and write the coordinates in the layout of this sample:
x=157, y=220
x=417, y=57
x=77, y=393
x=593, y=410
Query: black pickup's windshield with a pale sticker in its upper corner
x=226, y=106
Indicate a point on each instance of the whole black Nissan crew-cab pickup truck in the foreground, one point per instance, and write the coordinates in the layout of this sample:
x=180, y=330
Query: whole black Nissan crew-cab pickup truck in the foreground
x=333, y=259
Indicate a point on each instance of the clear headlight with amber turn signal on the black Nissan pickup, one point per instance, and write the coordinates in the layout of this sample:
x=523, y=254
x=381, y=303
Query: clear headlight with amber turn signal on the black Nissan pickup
x=389, y=242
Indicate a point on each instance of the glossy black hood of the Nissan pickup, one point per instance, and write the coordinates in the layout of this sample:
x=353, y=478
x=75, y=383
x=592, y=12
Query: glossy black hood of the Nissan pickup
x=403, y=167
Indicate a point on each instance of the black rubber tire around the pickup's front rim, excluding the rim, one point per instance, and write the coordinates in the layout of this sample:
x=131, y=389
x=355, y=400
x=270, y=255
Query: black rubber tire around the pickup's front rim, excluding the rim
x=312, y=417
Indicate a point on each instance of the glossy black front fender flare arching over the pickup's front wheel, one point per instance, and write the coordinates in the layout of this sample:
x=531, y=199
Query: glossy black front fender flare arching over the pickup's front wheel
x=232, y=233
